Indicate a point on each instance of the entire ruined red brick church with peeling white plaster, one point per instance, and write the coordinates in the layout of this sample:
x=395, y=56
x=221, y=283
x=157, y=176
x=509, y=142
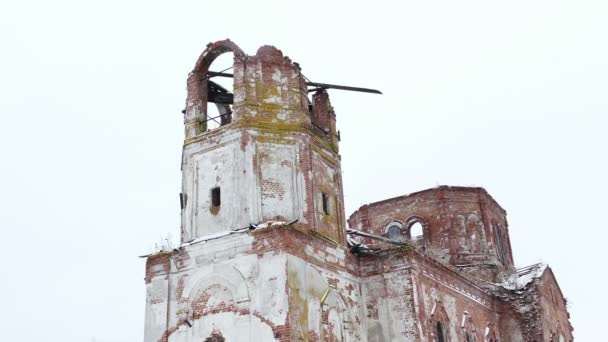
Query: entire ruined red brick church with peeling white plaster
x=266, y=255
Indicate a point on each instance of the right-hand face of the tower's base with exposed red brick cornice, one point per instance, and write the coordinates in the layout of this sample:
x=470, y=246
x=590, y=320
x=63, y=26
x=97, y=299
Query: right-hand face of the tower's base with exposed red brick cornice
x=324, y=294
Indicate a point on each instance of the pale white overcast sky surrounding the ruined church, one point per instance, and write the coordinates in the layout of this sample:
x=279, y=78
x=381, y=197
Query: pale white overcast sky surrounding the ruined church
x=508, y=96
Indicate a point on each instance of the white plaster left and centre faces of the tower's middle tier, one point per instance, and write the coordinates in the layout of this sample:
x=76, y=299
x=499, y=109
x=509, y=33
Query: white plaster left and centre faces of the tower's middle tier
x=250, y=192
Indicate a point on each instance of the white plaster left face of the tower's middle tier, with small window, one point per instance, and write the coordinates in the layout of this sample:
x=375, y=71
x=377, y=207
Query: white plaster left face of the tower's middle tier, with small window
x=223, y=162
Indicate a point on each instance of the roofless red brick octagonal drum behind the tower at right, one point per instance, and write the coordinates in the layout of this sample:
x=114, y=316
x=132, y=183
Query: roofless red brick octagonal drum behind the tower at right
x=452, y=218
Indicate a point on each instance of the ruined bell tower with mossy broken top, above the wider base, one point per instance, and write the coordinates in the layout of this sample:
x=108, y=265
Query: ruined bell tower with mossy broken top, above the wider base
x=274, y=156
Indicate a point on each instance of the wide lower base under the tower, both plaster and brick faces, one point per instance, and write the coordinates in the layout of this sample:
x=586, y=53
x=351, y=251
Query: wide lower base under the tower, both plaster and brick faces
x=277, y=280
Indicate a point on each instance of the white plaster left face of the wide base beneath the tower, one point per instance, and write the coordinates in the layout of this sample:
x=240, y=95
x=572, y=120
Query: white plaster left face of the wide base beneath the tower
x=255, y=285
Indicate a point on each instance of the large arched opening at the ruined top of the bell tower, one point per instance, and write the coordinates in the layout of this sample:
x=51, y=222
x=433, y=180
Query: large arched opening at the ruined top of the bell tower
x=220, y=92
